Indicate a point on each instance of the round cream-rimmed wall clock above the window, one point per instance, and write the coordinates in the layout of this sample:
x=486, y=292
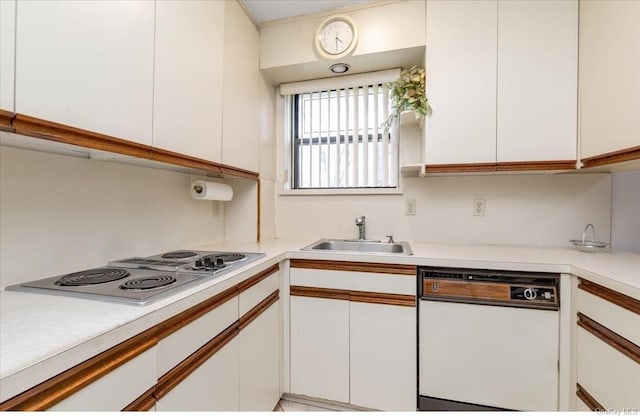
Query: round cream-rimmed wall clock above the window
x=336, y=37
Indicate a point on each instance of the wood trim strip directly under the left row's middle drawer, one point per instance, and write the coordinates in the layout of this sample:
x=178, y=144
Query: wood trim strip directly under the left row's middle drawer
x=181, y=371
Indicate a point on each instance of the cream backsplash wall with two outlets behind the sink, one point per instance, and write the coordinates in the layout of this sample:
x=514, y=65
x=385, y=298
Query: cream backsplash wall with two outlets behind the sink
x=520, y=209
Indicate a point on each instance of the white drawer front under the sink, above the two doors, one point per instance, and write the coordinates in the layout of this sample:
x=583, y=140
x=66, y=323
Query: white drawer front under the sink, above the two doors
x=359, y=281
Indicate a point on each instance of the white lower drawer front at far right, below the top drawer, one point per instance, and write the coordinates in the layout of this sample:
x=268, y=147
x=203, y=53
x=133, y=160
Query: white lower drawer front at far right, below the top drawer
x=611, y=377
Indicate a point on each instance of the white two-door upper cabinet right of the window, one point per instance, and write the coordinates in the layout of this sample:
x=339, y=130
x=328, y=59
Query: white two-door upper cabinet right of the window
x=502, y=81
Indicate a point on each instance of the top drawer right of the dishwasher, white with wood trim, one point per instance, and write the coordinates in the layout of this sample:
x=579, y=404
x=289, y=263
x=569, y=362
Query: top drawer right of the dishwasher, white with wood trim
x=620, y=320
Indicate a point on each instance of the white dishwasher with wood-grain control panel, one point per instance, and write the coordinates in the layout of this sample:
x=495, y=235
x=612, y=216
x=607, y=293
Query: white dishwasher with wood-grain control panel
x=487, y=340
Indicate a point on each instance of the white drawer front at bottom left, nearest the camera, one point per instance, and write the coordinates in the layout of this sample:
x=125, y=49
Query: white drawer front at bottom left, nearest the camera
x=114, y=391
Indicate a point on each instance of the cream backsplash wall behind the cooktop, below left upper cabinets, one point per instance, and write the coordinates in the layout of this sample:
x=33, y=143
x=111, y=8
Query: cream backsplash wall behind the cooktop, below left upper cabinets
x=60, y=214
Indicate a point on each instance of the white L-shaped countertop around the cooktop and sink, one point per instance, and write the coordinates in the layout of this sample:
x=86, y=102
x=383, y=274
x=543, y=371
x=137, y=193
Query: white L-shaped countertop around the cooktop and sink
x=43, y=335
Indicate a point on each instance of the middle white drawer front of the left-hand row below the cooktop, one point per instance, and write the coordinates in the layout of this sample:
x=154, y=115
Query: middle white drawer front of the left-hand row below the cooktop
x=183, y=342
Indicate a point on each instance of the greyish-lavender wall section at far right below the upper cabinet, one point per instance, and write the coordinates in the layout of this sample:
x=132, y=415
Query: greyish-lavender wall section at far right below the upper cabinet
x=625, y=211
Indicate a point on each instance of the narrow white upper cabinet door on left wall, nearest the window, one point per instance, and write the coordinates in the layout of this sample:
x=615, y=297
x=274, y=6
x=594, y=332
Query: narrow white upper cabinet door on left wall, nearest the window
x=240, y=116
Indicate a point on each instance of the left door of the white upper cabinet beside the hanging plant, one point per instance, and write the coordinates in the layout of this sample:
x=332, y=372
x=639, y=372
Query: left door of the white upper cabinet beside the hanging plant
x=461, y=81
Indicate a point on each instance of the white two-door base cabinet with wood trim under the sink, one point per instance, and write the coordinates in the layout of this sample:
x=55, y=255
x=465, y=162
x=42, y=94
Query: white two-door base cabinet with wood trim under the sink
x=353, y=334
